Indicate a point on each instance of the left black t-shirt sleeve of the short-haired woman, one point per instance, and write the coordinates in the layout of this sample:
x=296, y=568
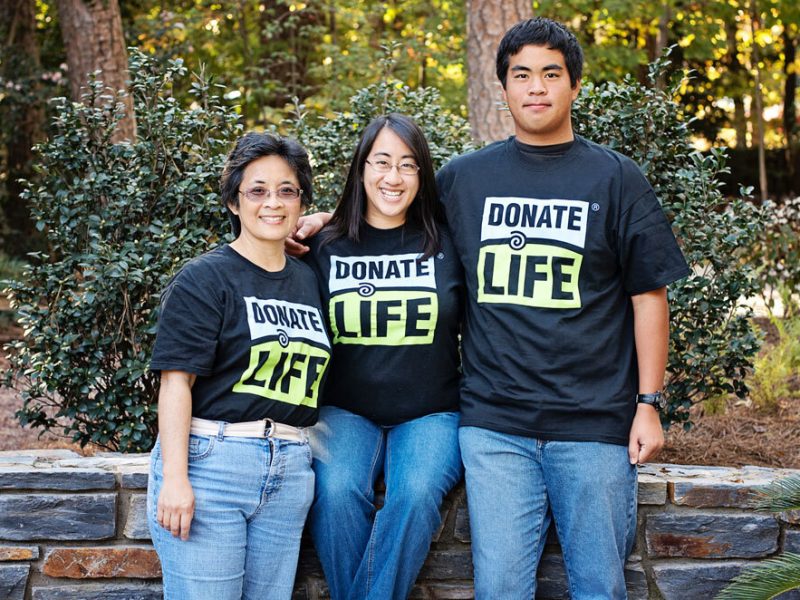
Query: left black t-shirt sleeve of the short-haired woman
x=188, y=327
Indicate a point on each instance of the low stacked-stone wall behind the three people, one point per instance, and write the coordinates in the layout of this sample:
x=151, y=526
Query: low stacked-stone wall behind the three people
x=75, y=528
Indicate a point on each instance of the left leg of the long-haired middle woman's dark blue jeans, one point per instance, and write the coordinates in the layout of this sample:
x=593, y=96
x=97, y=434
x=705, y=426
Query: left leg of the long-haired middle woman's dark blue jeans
x=348, y=457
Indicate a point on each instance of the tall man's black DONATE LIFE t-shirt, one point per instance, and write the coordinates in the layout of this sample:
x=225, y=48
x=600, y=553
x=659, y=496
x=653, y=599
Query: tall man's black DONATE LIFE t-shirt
x=554, y=244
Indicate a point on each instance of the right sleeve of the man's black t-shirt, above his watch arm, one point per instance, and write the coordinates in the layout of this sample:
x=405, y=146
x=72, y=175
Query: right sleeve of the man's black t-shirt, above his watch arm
x=649, y=255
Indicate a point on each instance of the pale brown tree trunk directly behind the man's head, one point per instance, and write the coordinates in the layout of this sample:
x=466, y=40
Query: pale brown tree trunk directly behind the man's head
x=487, y=21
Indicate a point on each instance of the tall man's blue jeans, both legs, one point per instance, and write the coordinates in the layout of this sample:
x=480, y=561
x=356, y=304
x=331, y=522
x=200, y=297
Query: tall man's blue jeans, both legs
x=590, y=487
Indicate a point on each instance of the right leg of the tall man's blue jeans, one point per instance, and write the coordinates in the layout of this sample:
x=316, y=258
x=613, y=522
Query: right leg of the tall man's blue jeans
x=592, y=488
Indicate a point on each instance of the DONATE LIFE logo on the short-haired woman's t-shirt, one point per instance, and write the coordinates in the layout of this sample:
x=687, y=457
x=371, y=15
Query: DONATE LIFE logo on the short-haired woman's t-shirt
x=290, y=354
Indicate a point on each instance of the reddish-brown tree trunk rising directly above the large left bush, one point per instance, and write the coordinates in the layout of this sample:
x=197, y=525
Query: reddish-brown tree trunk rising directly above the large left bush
x=92, y=34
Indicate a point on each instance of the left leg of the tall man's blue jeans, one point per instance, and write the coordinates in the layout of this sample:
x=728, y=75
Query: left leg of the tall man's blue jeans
x=507, y=502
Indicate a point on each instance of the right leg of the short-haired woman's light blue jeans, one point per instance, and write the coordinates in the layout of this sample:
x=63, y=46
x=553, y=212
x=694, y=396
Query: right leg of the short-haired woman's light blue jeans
x=275, y=528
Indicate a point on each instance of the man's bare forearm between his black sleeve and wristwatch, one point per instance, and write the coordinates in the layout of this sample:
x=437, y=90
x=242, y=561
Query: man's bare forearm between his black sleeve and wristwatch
x=651, y=334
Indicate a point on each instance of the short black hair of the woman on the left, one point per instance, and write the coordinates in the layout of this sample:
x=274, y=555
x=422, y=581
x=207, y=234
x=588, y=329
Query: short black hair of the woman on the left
x=252, y=146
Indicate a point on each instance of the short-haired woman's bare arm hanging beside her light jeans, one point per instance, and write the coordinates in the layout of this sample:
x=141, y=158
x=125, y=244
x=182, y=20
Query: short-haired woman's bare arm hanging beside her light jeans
x=176, y=500
